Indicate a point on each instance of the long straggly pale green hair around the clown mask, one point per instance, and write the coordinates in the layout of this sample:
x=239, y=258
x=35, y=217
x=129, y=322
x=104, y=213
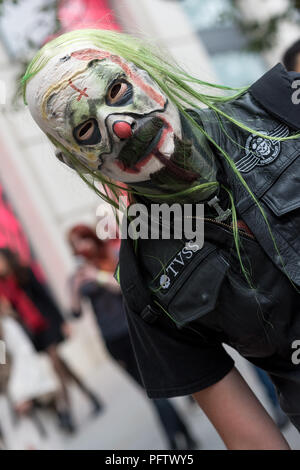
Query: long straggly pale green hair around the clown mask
x=184, y=90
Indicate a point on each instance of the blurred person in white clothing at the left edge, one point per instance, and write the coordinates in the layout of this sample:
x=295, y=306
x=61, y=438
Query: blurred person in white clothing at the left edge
x=26, y=378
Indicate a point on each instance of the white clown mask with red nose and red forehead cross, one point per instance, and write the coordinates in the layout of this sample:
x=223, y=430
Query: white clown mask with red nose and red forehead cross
x=106, y=112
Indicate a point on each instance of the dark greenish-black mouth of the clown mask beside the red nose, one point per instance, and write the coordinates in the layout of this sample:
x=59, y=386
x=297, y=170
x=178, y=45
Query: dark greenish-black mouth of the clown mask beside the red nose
x=142, y=143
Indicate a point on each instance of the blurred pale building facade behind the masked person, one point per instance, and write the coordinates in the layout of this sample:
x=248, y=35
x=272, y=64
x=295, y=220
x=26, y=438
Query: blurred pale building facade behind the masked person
x=47, y=197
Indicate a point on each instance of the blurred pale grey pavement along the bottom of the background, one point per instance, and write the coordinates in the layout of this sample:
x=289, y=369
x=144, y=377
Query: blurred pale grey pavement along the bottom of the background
x=127, y=421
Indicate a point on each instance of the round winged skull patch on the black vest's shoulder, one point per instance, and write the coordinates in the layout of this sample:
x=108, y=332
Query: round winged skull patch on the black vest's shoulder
x=261, y=151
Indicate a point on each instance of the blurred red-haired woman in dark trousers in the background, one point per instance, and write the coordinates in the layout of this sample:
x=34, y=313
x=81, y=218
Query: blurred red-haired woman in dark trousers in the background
x=94, y=280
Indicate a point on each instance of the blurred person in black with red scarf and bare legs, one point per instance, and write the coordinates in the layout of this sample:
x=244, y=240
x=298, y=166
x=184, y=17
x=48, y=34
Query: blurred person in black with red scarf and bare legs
x=42, y=320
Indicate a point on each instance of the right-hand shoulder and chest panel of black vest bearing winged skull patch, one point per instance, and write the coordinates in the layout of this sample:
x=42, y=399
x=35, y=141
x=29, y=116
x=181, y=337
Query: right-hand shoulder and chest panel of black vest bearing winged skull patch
x=271, y=169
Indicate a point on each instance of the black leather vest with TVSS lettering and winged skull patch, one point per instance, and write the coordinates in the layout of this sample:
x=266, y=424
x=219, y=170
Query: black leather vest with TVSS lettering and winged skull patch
x=207, y=286
